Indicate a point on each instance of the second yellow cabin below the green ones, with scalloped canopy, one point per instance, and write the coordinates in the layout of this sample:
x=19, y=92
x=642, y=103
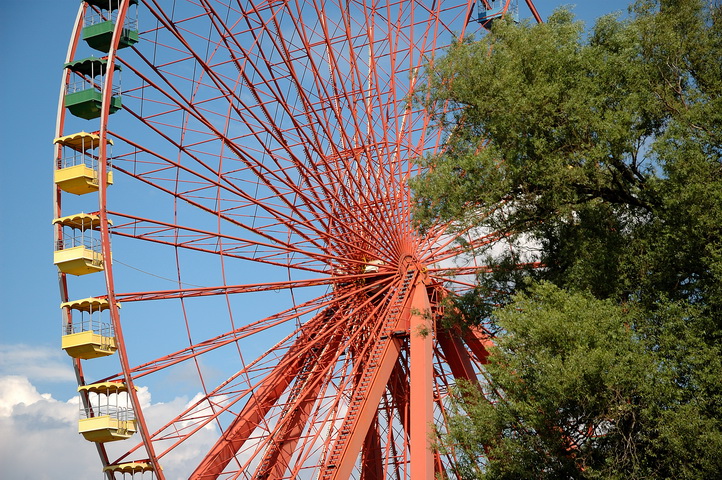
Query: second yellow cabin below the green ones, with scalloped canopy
x=78, y=251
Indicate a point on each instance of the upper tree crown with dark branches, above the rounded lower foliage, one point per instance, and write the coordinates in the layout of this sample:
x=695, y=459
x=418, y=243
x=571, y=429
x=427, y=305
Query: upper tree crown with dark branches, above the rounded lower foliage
x=605, y=150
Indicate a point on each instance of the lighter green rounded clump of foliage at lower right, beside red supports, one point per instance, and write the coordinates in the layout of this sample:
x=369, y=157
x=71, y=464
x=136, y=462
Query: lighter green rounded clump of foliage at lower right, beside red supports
x=566, y=383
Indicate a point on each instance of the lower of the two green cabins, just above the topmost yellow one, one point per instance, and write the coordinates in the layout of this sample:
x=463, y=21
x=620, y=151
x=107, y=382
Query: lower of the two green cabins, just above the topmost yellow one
x=83, y=94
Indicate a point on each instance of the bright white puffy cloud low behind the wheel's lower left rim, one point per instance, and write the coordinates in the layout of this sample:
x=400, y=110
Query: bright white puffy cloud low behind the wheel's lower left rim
x=39, y=437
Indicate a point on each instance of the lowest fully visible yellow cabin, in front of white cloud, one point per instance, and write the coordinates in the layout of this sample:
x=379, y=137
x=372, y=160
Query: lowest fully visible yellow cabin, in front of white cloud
x=104, y=419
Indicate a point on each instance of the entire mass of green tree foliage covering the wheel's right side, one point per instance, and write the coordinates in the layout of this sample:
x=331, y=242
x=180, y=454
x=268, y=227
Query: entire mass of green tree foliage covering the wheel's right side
x=604, y=151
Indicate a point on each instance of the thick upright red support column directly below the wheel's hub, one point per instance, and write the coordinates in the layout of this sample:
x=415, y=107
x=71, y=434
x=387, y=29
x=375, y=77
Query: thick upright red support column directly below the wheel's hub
x=421, y=340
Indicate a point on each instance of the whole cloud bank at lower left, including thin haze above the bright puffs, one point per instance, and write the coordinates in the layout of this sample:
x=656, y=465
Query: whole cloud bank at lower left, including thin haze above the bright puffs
x=39, y=434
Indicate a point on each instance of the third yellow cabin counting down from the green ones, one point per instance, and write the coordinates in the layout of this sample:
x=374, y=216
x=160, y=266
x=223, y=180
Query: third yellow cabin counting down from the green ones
x=85, y=335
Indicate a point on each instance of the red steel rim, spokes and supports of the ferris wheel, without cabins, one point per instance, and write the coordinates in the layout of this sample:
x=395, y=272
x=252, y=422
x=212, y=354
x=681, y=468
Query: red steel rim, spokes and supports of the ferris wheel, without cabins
x=366, y=369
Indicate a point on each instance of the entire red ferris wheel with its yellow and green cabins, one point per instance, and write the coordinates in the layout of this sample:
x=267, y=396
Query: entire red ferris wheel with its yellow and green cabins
x=245, y=184
